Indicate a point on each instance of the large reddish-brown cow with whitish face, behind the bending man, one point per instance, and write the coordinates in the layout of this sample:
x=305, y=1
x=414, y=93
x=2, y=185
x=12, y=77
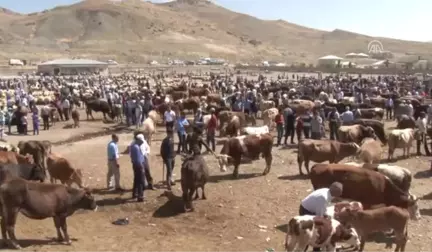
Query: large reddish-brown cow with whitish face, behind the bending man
x=369, y=187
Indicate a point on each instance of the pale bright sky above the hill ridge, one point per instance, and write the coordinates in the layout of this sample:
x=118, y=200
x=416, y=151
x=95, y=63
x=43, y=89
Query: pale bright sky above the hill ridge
x=400, y=19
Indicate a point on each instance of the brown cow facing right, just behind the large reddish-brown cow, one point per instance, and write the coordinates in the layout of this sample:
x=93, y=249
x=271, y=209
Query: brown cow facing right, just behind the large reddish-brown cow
x=323, y=150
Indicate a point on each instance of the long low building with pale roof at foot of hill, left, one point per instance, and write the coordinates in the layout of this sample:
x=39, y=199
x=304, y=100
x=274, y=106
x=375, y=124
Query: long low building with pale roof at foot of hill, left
x=72, y=67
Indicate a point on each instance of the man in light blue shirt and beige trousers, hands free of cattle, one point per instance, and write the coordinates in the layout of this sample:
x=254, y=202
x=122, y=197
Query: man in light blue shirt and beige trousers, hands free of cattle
x=113, y=176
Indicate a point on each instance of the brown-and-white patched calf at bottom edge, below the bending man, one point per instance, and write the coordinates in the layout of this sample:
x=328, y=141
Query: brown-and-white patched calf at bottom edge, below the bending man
x=319, y=232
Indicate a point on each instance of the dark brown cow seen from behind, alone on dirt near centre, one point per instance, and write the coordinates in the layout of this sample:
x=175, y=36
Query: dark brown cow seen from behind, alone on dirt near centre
x=194, y=175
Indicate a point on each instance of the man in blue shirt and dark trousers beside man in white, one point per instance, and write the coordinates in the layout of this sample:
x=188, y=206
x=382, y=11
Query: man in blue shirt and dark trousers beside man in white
x=137, y=159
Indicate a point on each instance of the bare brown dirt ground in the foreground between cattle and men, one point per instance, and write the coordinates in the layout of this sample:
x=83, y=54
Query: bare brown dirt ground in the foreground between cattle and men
x=231, y=219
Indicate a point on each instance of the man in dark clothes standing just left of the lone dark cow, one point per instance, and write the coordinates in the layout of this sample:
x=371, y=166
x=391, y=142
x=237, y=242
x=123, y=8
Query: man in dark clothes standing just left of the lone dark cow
x=168, y=156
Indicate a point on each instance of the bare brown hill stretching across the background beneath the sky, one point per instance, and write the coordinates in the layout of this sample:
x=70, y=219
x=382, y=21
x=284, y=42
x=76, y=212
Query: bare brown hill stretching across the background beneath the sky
x=136, y=31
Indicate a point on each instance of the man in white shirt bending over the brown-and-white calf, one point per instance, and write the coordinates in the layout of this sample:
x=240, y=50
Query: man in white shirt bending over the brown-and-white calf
x=317, y=202
